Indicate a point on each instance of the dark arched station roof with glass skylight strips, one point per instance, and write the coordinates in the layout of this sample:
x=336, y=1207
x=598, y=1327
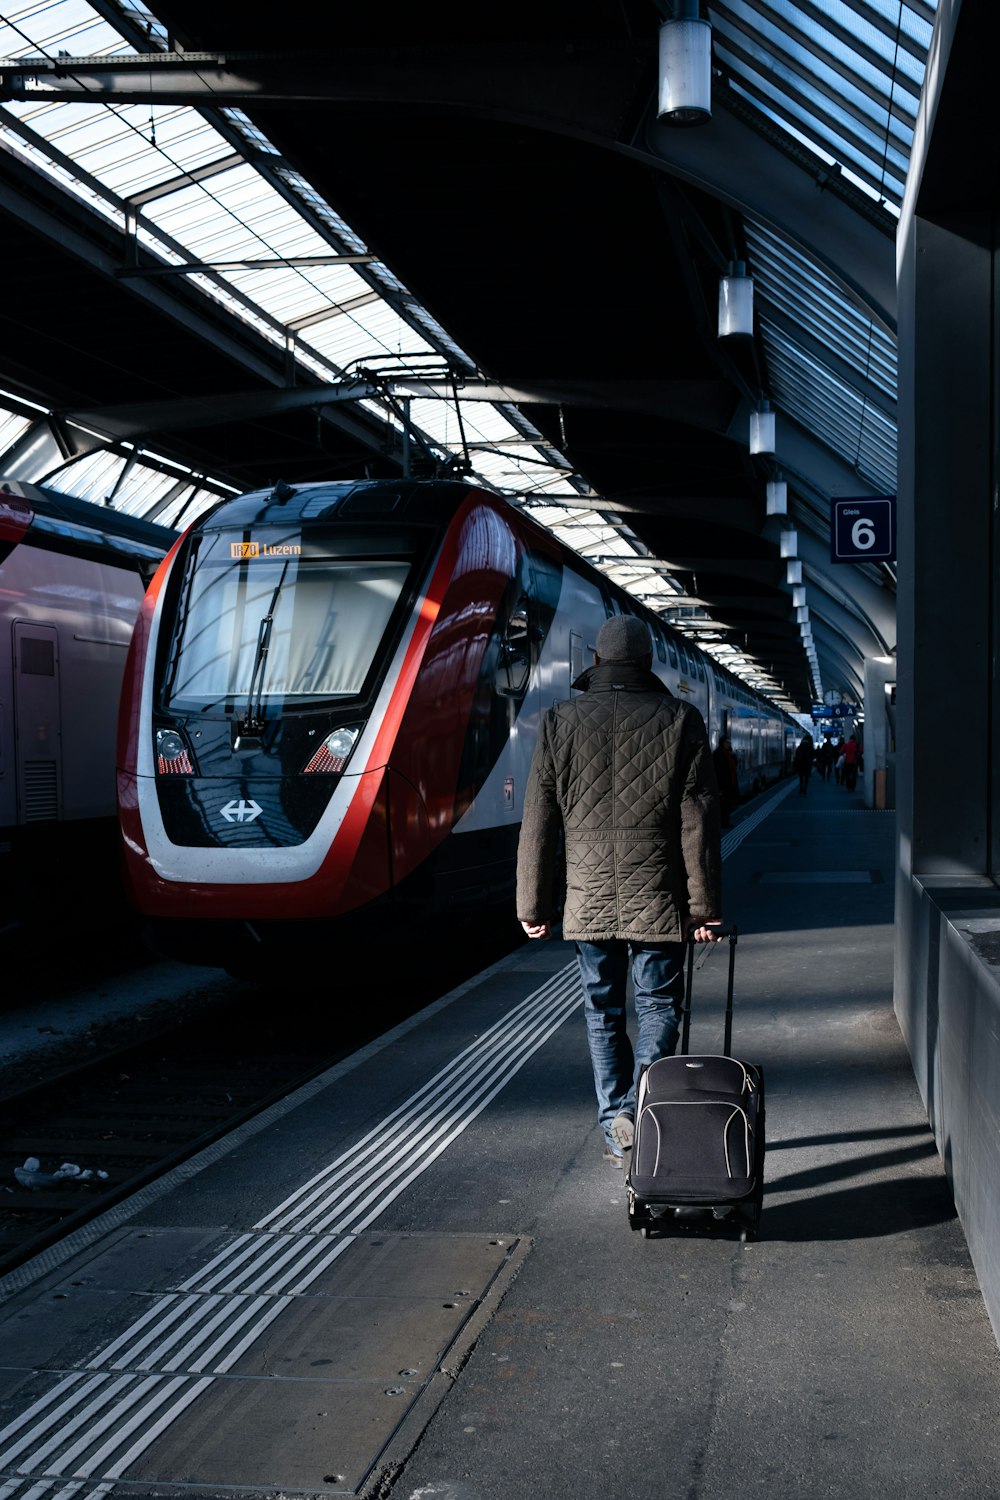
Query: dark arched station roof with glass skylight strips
x=425, y=241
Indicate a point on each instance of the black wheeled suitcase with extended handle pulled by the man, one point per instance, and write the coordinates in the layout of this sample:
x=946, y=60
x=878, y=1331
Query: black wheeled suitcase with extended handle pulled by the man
x=699, y=1150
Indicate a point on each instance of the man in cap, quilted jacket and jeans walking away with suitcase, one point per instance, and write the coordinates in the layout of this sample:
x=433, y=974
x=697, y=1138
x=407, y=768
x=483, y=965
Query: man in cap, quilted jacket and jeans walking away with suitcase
x=623, y=782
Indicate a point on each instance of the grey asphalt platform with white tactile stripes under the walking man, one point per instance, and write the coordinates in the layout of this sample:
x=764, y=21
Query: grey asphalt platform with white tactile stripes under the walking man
x=418, y=1277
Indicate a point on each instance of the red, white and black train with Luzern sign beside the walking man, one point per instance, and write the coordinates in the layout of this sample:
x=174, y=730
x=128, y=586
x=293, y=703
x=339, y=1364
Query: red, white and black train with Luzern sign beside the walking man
x=331, y=707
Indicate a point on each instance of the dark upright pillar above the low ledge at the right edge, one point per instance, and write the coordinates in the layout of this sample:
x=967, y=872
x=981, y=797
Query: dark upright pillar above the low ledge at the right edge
x=945, y=509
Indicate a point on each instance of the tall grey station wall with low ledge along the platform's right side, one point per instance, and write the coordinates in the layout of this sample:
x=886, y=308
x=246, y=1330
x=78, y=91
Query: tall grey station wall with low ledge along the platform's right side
x=948, y=743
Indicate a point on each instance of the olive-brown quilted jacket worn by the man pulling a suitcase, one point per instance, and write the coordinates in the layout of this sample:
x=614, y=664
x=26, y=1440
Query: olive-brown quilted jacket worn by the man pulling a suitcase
x=623, y=785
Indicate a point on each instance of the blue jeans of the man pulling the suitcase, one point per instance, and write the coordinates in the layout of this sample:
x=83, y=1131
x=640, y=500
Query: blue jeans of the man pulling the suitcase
x=657, y=970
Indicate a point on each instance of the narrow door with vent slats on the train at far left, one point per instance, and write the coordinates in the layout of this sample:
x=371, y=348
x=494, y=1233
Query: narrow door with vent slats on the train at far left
x=37, y=722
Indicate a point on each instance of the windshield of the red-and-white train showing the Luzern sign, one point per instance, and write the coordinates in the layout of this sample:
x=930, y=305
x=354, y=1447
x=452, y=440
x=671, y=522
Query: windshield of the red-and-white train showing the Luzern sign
x=281, y=617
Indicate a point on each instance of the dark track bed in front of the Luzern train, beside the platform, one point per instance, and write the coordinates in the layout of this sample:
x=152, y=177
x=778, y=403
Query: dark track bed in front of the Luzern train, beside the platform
x=89, y=1136
